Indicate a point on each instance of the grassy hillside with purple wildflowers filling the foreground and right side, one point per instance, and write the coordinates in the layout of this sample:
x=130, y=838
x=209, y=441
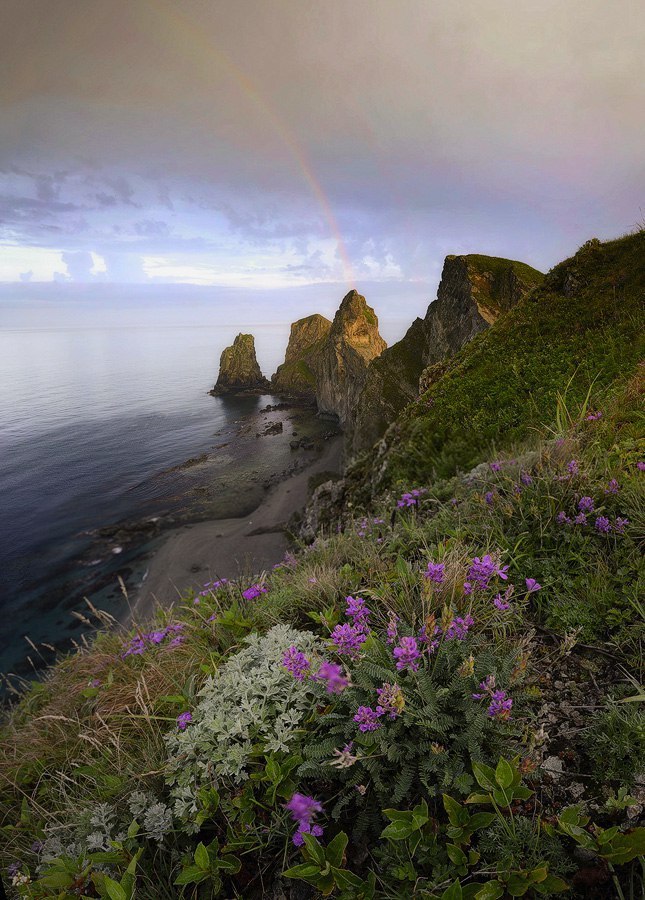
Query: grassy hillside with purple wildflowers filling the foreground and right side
x=441, y=697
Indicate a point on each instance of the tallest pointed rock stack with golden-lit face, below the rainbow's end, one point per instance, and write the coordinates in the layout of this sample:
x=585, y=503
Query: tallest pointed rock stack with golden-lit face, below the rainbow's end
x=341, y=369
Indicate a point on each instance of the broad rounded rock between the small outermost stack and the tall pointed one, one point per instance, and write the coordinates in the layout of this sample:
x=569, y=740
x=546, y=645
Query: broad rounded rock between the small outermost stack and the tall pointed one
x=297, y=375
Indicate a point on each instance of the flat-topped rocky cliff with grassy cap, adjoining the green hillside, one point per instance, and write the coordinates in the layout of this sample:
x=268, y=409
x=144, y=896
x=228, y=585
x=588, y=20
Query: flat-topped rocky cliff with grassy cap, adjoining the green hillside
x=473, y=292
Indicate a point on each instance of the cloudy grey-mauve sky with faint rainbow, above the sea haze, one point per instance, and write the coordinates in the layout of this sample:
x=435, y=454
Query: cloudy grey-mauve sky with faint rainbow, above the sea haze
x=276, y=143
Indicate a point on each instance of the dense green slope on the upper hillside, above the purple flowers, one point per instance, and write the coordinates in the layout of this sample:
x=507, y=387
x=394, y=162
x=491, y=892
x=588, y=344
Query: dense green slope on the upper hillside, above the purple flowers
x=582, y=328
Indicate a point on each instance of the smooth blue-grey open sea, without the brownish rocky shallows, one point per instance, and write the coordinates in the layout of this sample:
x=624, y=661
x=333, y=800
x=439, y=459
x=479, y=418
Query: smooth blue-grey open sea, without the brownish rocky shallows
x=89, y=417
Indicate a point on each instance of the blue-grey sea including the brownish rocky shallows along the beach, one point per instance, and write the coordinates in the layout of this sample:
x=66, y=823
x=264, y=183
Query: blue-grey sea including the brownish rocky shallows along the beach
x=107, y=440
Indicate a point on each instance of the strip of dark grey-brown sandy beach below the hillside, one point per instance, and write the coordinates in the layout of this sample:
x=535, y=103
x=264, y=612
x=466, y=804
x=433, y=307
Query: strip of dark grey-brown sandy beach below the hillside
x=225, y=548
